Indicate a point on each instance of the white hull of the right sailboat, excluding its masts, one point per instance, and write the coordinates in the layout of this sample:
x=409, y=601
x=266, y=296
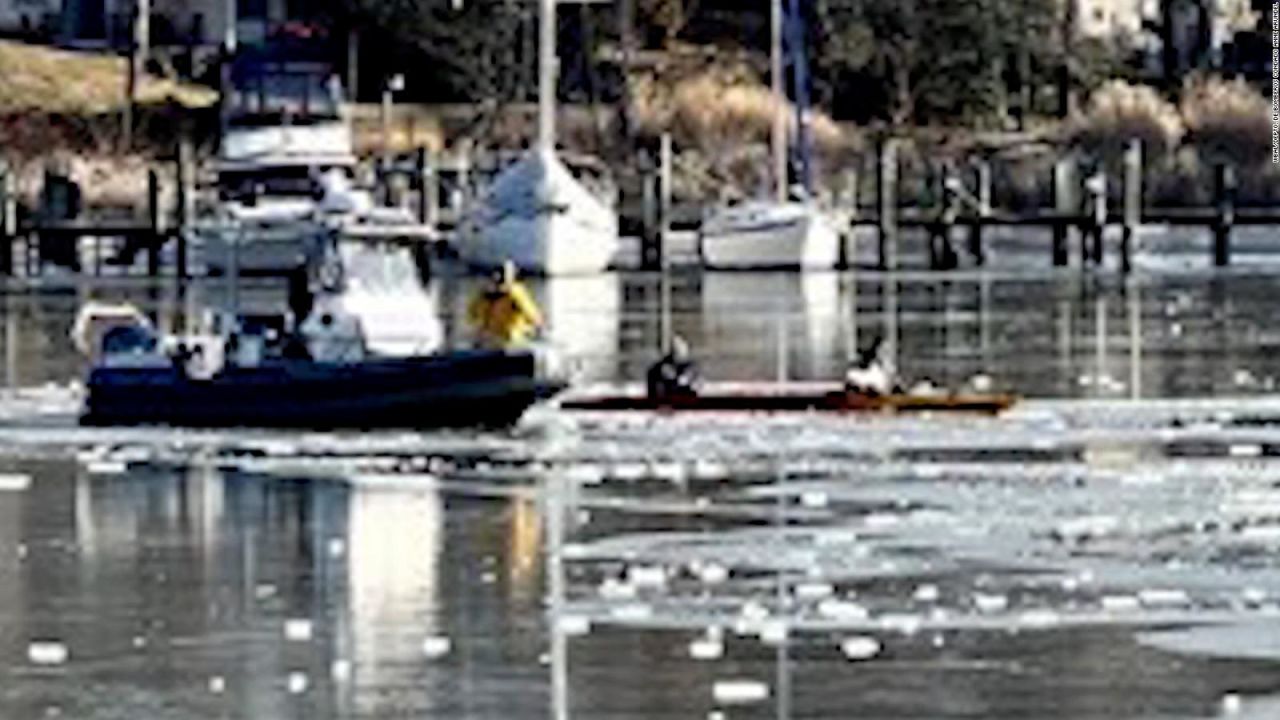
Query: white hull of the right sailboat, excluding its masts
x=770, y=236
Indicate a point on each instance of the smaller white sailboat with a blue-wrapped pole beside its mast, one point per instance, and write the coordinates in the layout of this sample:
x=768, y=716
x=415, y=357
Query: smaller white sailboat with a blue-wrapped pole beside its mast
x=788, y=231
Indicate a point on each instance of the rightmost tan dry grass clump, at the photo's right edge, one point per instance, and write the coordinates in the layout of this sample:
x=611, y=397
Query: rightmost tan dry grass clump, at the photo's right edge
x=1227, y=121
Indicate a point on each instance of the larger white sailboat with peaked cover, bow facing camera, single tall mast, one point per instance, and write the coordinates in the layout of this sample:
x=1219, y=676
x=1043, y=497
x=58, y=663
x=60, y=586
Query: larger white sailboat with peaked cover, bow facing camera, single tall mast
x=537, y=213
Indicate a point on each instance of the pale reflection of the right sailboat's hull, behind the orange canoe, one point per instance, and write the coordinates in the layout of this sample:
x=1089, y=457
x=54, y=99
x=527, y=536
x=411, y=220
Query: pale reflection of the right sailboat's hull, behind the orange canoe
x=771, y=325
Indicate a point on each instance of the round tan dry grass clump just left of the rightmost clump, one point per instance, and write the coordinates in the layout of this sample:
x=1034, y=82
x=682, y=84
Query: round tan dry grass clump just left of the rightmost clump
x=1119, y=112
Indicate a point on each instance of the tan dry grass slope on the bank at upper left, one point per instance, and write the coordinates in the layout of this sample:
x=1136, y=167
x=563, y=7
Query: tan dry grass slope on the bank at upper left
x=44, y=80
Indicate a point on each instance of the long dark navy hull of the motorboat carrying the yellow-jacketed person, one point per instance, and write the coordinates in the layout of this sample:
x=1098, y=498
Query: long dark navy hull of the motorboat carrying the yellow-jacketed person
x=444, y=391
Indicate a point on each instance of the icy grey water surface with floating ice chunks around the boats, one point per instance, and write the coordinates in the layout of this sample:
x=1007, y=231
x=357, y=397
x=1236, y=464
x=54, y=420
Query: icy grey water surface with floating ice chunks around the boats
x=1108, y=550
